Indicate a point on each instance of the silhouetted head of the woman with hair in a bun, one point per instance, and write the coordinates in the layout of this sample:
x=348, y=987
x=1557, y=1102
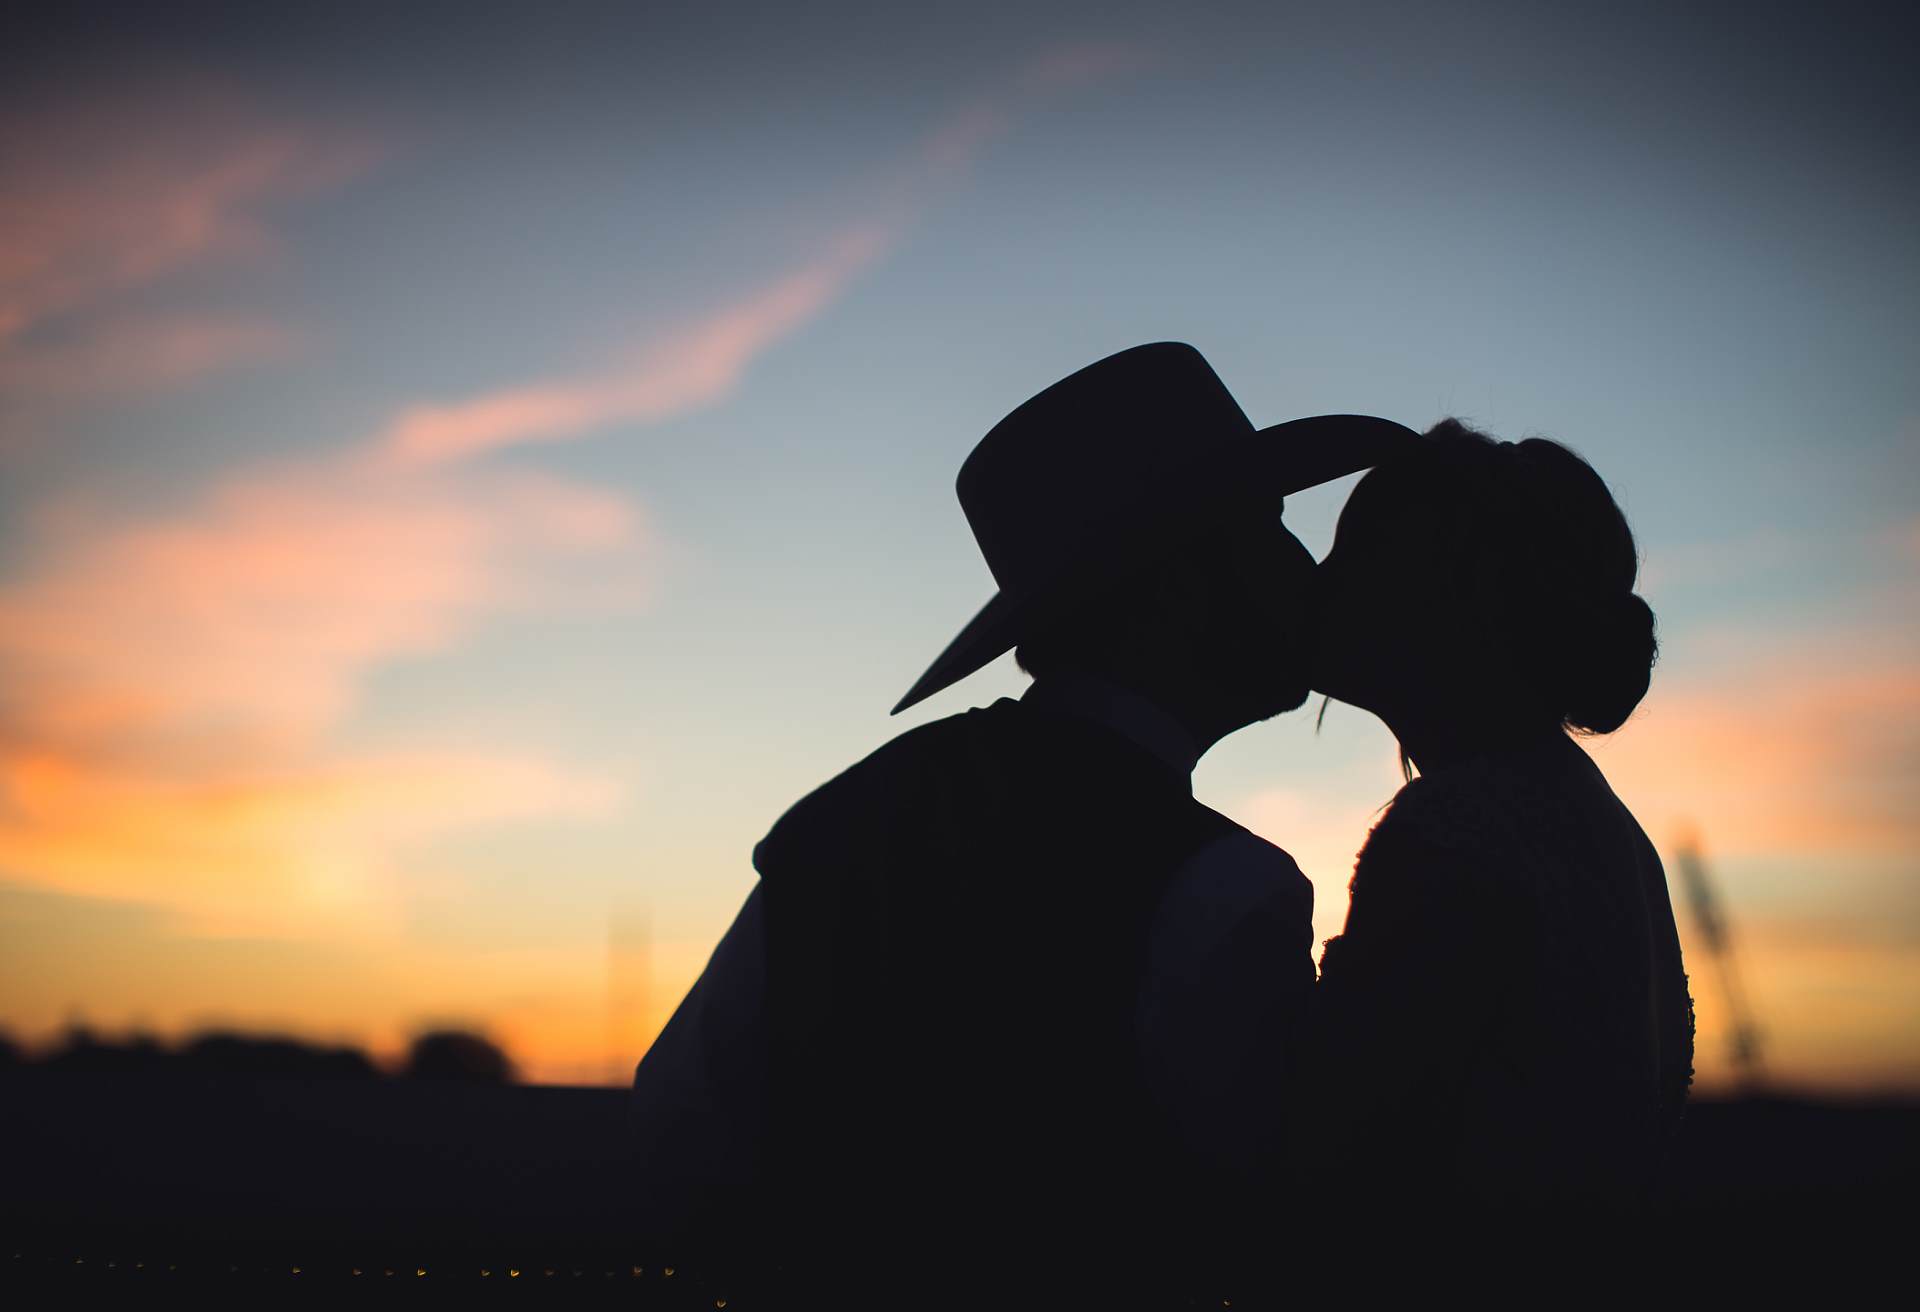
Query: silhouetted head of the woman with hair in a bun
x=1485, y=579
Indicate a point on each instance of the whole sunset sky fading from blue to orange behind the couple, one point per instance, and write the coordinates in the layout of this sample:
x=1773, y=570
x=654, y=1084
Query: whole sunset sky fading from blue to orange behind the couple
x=466, y=470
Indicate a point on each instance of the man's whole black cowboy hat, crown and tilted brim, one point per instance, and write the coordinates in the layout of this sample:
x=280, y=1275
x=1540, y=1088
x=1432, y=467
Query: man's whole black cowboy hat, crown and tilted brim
x=1101, y=450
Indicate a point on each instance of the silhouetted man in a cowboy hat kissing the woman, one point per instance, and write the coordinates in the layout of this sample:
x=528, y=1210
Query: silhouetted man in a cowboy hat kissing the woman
x=1005, y=984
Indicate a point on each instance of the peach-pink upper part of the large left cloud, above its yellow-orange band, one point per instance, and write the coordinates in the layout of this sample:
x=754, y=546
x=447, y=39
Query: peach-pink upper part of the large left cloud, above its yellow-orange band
x=276, y=593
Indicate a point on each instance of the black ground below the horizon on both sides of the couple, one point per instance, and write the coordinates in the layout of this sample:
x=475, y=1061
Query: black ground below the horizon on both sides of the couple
x=110, y=1178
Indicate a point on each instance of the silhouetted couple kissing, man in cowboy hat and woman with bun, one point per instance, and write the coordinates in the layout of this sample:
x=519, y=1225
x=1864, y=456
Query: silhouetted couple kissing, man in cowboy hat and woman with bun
x=1009, y=998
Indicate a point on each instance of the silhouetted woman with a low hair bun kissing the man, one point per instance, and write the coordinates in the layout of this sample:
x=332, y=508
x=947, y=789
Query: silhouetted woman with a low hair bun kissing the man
x=1504, y=1021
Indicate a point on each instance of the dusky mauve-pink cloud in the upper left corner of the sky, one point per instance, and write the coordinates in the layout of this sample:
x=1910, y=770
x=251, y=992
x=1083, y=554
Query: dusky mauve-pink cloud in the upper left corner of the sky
x=112, y=193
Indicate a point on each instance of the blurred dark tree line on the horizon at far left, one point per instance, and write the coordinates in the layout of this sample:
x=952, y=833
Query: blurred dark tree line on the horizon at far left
x=431, y=1056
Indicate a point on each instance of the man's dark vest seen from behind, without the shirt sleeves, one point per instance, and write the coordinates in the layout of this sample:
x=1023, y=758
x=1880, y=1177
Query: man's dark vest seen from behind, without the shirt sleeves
x=955, y=940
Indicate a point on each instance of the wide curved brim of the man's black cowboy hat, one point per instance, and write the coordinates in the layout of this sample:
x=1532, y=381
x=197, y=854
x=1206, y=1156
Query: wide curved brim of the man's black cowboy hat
x=1284, y=458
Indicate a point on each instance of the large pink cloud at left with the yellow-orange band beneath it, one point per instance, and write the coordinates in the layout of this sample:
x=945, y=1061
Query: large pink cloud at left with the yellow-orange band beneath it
x=172, y=685
